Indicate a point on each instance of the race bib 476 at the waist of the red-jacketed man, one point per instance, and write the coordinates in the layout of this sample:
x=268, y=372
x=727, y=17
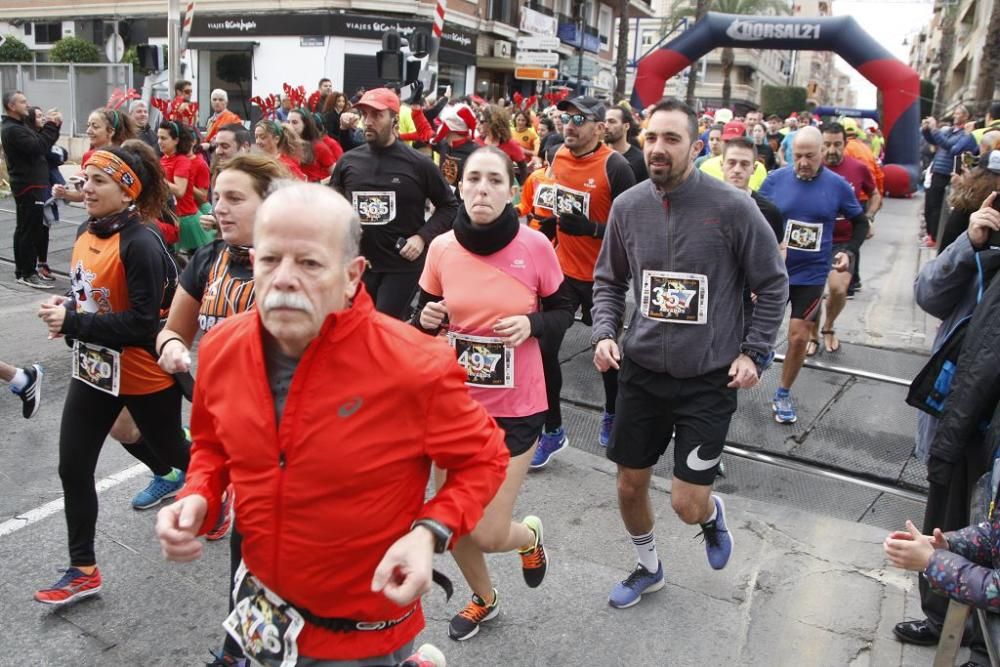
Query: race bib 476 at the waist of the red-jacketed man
x=262, y=623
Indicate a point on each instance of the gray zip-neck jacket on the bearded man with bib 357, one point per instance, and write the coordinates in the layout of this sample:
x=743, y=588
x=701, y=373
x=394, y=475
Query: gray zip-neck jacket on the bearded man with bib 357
x=704, y=227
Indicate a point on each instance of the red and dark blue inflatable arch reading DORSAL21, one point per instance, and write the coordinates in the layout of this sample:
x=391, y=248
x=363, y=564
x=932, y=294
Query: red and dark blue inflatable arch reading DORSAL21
x=900, y=85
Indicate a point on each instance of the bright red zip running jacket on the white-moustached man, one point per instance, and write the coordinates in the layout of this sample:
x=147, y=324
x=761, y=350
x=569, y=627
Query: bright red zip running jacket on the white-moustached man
x=319, y=500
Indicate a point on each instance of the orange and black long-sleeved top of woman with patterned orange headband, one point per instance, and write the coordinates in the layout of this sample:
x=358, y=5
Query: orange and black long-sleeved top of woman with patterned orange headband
x=119, y=285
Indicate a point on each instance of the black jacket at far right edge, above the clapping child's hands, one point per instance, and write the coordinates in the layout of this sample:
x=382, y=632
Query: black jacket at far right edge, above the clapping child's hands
x=976, y=387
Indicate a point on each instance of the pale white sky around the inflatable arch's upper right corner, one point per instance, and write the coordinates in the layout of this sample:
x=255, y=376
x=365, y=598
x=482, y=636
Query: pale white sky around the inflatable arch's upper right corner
x=889, y=22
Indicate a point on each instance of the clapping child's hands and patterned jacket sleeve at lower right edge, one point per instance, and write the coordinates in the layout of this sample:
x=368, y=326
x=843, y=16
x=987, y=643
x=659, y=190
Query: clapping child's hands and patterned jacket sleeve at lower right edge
x=960, y=564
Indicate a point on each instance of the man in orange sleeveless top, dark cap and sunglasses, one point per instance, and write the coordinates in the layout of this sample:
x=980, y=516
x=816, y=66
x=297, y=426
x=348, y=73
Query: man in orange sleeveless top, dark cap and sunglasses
x=589, y=175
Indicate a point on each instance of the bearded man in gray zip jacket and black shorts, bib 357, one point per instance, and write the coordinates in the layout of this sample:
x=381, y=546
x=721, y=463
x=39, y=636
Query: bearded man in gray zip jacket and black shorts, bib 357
x=690, y=244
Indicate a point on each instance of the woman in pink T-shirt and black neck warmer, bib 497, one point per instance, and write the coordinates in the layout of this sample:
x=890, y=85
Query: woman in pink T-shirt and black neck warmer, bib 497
x=482, y=283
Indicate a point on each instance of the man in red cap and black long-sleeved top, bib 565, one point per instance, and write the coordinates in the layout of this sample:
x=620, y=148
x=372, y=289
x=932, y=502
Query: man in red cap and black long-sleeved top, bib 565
x=389, y=183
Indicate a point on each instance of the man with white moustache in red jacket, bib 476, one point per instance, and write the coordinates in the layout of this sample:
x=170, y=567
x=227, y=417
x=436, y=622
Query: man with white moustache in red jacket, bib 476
x=326, y=415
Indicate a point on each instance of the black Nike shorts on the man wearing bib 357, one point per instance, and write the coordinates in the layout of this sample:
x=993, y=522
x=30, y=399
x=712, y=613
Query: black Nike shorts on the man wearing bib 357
x=652, y=406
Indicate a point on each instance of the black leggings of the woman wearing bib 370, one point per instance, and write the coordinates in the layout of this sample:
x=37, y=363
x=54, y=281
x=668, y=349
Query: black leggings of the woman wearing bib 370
x=88, y=415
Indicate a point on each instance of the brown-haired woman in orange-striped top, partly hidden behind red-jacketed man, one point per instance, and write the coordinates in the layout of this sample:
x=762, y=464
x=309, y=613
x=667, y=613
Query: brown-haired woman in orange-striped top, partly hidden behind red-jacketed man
x=216, y=284
